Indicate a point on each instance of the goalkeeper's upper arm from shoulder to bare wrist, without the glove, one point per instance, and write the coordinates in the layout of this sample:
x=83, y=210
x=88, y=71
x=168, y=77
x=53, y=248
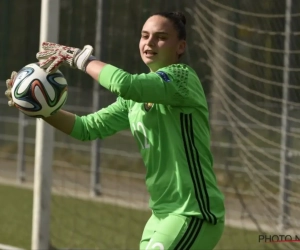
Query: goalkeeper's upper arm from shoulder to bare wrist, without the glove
x=170, y=86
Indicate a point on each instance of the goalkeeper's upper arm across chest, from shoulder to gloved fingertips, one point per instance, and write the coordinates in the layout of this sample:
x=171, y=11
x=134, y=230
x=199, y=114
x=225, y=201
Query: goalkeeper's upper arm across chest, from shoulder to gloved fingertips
x=173, y=87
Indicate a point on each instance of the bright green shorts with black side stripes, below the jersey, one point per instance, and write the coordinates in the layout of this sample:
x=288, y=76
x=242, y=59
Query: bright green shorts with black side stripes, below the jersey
x=180, y=232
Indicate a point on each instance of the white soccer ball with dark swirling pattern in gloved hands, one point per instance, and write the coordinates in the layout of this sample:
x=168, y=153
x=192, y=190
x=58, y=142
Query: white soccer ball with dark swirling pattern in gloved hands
x=37, y=93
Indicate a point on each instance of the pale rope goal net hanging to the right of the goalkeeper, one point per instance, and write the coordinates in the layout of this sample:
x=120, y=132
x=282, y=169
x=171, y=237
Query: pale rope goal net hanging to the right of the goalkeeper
x=252, y=52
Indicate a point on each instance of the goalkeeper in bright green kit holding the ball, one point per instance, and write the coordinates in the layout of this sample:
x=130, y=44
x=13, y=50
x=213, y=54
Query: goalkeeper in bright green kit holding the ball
x=167, y=113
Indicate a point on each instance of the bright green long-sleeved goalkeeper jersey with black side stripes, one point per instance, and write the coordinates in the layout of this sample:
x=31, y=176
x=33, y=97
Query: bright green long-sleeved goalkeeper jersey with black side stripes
x=167, y=114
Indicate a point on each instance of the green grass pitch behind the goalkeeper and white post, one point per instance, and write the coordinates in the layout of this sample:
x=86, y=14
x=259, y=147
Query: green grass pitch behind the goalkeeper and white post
x=83, y=224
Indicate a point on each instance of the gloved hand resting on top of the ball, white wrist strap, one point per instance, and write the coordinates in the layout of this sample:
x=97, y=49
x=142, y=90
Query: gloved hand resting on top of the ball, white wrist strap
x=54, y=55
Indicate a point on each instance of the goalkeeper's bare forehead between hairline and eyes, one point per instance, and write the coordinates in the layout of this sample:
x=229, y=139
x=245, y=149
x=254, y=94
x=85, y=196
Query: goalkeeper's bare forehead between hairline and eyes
x=158, y=24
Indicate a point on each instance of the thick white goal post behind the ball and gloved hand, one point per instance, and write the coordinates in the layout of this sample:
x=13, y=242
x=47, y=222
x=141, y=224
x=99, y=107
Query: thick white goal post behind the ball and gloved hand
x=49, y=28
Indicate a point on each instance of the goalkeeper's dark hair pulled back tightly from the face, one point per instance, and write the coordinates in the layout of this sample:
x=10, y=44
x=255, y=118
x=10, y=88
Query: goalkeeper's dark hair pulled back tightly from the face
x=178, y=19
